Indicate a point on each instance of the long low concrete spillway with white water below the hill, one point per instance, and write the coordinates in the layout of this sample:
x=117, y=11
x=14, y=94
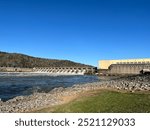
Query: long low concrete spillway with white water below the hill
x=52, y=70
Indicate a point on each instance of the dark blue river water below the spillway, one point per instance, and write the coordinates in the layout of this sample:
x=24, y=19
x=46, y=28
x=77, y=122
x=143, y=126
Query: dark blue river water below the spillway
x=12, y=85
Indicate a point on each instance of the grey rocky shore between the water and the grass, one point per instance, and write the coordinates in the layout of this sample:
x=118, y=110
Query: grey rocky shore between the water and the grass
x=55, y=97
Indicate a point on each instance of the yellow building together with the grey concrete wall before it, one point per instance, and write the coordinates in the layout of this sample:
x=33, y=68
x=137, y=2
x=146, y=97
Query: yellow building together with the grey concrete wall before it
x=127, y=66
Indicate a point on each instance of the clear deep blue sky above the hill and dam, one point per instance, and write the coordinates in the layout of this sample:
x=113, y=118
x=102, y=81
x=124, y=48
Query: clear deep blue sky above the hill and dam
x=79, y=30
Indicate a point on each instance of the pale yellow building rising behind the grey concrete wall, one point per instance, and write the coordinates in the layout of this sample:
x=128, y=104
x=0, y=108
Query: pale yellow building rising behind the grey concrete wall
x=104, y=64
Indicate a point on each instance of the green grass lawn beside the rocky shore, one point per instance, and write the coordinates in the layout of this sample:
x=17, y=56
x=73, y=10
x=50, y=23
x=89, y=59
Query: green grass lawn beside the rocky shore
x=106, y=101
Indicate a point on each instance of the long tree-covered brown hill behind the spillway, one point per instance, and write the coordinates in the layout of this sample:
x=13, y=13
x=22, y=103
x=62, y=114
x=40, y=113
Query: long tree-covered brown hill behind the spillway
x=25, y=61
